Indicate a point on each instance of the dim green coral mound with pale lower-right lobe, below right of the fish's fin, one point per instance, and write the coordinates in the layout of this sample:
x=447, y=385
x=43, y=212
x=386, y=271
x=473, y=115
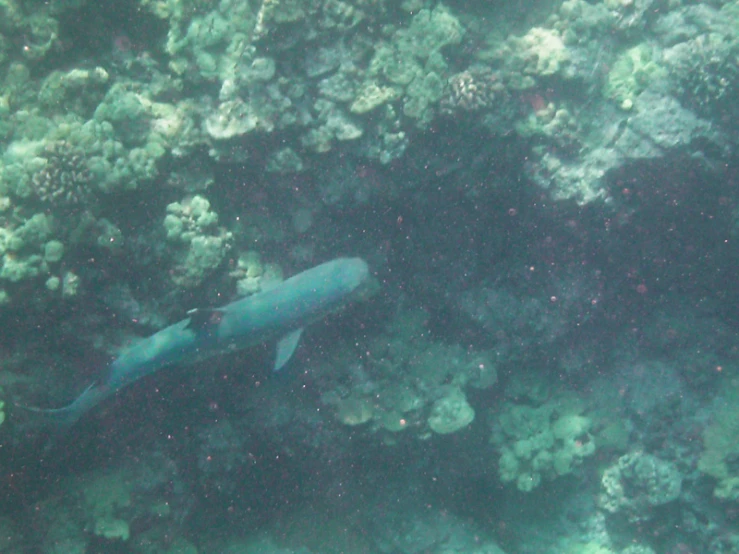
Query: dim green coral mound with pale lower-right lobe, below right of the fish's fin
x=410, y=382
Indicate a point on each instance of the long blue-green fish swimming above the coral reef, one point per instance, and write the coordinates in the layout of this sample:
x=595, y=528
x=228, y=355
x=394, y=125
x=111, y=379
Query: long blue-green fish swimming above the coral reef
x=279, y=313
